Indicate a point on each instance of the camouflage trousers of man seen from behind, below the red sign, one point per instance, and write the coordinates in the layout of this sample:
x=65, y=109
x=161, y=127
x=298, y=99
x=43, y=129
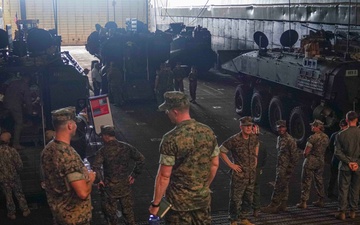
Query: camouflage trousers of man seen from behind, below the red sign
x=109, y=206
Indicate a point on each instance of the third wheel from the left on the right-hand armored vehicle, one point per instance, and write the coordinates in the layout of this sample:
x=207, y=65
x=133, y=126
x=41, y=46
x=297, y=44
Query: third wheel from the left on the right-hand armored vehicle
x=276, y=112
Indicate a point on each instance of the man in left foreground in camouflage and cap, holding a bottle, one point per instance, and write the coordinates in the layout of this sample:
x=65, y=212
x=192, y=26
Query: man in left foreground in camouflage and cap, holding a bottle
x=61, y=166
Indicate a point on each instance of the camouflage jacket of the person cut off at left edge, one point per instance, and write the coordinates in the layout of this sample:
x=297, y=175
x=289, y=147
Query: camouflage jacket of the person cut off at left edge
x=10, y=163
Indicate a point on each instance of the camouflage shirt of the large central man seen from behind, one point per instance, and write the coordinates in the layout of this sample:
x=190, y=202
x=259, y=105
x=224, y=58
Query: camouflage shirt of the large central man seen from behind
x=189, y=148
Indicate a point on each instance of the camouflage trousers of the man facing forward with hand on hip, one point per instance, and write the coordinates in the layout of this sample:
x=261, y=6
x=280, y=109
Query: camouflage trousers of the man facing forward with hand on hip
x=241, y=196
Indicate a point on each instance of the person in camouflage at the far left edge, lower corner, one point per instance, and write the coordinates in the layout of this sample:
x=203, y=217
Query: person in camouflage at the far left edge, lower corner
x=10, y=166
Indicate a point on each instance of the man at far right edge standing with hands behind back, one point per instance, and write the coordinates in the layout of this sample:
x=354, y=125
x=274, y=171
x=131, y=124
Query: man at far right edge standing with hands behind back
x=347, y=150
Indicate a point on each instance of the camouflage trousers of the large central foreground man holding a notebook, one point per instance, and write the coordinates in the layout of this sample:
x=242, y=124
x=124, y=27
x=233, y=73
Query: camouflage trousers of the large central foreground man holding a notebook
x=194, y=217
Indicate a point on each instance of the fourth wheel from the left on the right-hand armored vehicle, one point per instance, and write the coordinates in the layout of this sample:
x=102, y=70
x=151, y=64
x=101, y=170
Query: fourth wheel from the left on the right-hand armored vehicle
x=299, y=125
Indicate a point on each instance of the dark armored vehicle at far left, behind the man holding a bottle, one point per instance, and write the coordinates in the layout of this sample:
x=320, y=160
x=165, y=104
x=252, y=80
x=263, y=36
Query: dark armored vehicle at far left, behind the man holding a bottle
x=56, y=81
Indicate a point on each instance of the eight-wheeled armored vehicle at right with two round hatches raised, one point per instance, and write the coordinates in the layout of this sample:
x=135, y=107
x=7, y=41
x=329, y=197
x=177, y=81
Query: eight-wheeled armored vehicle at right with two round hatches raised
x=297, y=85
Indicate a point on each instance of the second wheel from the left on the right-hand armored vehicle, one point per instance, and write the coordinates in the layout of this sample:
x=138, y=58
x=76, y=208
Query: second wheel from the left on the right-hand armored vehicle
x=259, y=106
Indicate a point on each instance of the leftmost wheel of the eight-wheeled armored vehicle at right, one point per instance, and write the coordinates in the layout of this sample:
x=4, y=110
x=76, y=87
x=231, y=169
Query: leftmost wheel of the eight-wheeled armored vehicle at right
x=242, y=100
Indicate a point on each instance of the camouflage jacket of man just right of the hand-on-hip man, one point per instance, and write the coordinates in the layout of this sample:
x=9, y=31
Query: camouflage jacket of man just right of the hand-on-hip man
x=287, y=150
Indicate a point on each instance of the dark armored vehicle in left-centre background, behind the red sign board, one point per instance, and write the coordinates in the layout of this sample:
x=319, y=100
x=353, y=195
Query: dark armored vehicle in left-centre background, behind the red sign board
x=136, y=53
